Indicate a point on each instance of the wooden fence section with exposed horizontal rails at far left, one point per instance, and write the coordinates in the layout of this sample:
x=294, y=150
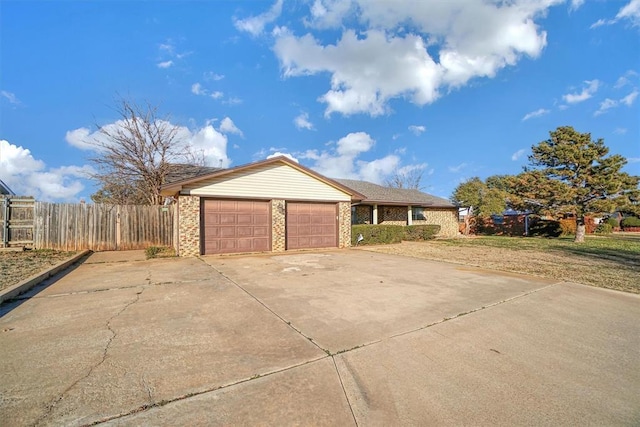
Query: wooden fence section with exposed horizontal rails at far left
x=16, y=220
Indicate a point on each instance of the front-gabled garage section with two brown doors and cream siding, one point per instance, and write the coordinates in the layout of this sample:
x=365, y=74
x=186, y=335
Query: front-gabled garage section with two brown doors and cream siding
x=271, y=205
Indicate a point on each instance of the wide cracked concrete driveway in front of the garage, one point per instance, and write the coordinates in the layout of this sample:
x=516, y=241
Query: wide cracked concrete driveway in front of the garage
x=316, y=338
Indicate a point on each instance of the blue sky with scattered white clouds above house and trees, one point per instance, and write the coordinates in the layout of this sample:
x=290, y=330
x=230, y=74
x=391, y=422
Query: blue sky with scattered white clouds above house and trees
x=351, y=88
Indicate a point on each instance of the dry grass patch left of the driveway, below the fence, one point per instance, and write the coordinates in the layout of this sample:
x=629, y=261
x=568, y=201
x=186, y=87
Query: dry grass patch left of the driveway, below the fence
x=17, y=266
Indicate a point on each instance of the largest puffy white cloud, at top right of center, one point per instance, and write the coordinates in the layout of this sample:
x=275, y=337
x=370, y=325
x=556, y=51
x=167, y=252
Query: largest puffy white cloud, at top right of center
x=389, y=59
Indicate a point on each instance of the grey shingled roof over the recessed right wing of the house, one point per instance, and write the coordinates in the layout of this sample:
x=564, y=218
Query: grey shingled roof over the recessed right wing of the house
x=378, y=194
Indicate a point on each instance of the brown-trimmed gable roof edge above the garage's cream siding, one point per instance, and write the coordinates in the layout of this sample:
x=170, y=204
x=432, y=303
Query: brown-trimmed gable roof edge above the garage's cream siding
x=176, y=186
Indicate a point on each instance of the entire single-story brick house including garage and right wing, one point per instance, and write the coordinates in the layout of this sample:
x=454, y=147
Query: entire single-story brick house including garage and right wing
x=277, y=205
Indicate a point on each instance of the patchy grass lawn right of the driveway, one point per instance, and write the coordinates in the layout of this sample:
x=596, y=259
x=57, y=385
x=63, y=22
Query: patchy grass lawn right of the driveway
x=611, y=261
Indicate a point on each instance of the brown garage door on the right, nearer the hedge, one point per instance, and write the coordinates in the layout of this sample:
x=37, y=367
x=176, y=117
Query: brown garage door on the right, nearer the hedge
x=312, y=225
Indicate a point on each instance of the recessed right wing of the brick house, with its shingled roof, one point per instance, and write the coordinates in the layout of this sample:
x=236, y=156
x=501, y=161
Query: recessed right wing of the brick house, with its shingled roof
x=401, y=206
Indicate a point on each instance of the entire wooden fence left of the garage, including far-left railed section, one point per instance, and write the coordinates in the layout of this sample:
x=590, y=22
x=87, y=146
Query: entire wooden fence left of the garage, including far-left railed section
x=73, y=227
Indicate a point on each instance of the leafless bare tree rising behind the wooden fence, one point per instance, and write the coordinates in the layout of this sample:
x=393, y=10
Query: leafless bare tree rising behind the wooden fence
x=134, y=155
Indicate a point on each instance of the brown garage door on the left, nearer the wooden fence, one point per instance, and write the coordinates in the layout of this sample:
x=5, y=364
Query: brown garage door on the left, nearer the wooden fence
x=231, y=226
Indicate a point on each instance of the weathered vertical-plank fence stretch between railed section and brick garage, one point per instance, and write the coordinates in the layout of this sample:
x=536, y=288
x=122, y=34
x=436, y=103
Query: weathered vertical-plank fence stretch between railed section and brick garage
x=74, y=227
